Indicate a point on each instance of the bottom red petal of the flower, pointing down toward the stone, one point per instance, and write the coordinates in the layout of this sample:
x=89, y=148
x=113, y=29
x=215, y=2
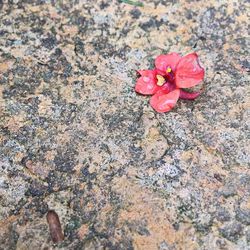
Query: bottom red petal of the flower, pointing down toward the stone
x=164, y=102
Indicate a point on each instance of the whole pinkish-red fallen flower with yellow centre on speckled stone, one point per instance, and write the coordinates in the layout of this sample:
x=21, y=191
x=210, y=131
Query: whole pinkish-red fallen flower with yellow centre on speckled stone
x=172, y=73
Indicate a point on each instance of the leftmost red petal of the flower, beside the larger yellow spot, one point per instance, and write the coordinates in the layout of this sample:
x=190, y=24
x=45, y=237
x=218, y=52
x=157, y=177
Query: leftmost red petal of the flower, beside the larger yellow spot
x=146, y=86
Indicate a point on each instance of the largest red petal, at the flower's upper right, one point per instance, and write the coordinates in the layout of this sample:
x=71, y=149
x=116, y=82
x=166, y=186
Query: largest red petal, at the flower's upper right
x=189, y=72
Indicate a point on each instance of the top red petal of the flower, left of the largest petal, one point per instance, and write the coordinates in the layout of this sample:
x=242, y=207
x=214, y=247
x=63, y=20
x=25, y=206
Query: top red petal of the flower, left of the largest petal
x=169, y=60
